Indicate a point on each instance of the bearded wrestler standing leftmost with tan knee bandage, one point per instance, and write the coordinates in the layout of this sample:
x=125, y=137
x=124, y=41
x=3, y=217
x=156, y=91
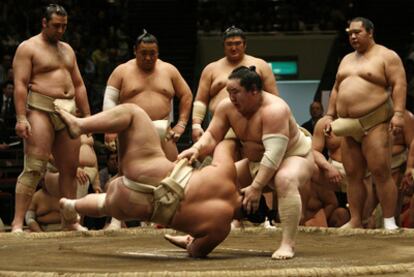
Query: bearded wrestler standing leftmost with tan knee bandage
x=46, y=73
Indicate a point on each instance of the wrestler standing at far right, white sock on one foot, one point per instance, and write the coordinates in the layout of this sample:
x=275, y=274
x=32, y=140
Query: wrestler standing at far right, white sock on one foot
x=367, y=114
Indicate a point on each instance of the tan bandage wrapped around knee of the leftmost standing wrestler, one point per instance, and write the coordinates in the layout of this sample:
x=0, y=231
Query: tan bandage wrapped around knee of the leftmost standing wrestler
x=33, y=171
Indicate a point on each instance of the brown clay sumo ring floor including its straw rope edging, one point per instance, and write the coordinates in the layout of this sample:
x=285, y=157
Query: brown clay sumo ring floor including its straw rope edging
x=144, y=252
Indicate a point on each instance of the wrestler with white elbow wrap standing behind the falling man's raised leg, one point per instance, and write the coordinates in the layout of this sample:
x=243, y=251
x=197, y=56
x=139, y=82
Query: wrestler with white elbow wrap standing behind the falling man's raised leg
x=150, y=83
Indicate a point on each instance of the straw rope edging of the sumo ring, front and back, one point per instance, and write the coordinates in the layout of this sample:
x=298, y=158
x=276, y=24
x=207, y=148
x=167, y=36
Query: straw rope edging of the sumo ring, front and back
x=312, y=271
